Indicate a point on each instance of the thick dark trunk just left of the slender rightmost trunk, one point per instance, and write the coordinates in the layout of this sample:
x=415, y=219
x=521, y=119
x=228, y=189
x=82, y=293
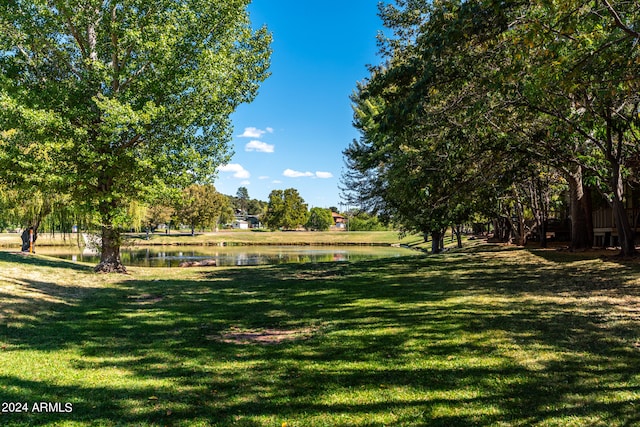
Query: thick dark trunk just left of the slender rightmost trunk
x=581, y=222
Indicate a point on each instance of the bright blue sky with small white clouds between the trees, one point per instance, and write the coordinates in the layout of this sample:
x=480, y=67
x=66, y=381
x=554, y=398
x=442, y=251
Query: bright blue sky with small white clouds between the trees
x=293, y=134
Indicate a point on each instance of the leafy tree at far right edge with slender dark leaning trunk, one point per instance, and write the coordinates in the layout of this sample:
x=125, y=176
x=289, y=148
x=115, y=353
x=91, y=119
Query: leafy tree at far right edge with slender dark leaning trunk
x=587, y=55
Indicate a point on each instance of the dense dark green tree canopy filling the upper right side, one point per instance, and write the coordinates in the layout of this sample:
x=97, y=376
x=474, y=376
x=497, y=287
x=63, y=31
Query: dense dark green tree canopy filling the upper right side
x=484, y=102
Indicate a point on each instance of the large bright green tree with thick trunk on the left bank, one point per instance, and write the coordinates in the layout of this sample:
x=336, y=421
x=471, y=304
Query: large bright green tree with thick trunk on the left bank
x=110, y=99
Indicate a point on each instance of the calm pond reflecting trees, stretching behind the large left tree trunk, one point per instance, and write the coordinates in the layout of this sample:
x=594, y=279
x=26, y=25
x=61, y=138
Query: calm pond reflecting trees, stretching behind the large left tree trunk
x=171, y=256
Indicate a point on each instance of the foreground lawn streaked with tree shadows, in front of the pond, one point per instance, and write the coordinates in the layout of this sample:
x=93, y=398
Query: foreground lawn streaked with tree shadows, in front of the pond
x=487, y=336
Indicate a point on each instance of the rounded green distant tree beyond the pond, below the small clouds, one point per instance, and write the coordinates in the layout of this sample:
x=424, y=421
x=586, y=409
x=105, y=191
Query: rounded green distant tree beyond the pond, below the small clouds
x=286, y=210
